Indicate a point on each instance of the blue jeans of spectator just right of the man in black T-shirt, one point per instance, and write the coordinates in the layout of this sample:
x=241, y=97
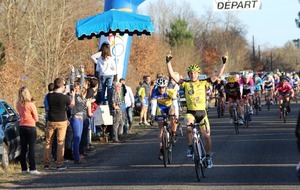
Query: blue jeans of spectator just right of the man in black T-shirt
x=77, y=125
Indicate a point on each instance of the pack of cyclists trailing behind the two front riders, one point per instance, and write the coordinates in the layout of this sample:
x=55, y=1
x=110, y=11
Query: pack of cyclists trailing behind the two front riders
x=243, y=89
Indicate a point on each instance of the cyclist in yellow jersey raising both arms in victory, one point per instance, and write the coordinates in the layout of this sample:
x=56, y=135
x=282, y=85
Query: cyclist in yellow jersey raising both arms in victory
x=195, y=93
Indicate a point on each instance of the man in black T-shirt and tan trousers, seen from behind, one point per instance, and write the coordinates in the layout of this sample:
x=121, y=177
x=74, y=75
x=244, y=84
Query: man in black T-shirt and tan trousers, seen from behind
x=57, y=121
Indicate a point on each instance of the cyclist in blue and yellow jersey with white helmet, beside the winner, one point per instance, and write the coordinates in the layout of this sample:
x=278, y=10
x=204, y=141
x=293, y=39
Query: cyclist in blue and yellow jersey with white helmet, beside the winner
x=164, y=102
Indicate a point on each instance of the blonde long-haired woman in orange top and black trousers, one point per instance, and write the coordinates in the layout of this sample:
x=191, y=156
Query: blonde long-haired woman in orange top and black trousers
x=28, y=118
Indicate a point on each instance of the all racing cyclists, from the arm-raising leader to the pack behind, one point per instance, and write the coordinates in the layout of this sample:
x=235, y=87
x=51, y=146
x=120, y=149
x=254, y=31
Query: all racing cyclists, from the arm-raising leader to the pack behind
x=235, y=88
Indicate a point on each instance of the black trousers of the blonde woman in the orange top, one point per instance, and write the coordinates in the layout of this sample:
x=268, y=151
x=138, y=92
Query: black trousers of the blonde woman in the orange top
x=27, y=139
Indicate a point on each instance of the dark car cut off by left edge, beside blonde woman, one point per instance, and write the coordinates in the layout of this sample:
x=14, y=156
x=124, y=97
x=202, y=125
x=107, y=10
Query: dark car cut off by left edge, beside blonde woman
x=10, y=146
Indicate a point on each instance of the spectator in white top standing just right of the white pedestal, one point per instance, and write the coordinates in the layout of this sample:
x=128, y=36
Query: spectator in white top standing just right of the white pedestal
x=128, y=105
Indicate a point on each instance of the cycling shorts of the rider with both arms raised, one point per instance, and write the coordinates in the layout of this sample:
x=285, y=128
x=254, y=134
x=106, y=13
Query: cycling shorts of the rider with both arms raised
x=199, y=116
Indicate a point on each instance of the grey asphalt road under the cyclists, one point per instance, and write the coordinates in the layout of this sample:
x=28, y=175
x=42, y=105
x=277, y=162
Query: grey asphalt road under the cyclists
x=262, y=156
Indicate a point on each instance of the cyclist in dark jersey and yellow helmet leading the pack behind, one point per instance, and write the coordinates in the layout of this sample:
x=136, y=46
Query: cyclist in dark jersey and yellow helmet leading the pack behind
x=233, y=94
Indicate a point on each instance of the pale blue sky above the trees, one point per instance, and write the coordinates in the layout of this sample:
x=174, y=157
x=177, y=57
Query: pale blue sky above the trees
x=272, y=26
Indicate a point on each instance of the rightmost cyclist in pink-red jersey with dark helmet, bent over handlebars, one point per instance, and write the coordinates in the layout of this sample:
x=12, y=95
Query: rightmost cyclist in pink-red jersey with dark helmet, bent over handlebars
x=284, y=89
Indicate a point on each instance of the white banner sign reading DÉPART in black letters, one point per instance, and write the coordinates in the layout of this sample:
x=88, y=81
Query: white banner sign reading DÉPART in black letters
x=236, y=5
